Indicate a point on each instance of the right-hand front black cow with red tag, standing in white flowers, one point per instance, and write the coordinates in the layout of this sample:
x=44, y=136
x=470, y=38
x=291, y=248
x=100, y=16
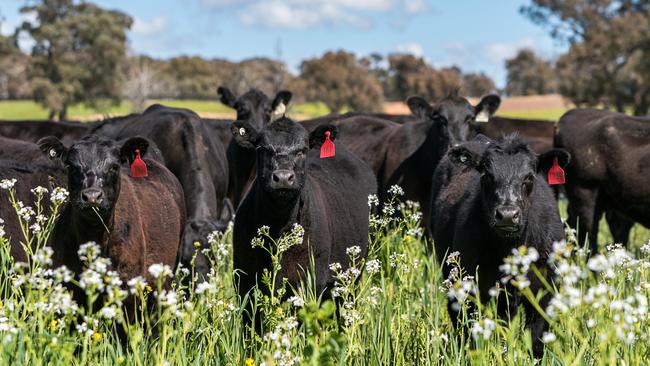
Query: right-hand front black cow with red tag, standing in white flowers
x=496, y=199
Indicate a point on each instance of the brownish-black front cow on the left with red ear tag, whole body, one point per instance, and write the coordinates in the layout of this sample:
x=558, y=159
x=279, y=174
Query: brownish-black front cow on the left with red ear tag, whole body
x=136, y=222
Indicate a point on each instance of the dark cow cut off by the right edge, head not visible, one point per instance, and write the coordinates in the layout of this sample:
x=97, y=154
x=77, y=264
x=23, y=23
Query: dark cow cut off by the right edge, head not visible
x=611, y=160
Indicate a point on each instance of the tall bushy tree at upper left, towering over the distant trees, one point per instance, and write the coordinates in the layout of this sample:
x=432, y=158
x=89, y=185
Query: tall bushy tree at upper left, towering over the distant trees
x=79, y=54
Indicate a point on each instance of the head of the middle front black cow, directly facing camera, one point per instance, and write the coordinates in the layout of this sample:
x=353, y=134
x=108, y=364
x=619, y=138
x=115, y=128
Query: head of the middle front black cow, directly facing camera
x=282, y=148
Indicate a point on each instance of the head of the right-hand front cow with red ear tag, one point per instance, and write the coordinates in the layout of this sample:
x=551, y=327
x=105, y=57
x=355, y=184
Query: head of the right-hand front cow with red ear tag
x=509, y=172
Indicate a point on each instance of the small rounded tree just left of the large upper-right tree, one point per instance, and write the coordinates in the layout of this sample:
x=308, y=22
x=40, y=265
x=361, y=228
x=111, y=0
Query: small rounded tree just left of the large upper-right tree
x=528, y=74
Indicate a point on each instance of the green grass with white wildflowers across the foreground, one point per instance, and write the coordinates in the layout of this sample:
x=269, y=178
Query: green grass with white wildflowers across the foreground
x=392, y=308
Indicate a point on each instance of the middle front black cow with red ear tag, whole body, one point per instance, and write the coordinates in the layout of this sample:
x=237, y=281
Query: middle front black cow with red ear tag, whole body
x=328, y=197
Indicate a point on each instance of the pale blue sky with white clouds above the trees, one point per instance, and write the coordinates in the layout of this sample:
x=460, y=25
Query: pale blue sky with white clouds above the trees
x=476, y=35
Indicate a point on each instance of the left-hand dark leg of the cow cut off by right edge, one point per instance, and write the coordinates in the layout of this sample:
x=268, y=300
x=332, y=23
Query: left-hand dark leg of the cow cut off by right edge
x=582, y=214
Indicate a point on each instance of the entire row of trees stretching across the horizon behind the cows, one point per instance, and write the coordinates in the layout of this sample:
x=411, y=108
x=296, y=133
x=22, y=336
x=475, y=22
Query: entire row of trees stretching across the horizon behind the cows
x=80, y=56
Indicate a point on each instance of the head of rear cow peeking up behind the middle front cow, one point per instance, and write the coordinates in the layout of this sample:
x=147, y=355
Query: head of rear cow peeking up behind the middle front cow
x=255, y=107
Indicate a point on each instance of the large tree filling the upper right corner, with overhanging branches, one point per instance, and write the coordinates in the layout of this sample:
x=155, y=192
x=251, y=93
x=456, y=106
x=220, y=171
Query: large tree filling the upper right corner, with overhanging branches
x=609, y=50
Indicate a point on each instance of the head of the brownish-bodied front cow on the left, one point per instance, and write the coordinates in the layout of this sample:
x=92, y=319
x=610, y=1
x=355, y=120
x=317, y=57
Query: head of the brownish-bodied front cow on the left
x=93, y=165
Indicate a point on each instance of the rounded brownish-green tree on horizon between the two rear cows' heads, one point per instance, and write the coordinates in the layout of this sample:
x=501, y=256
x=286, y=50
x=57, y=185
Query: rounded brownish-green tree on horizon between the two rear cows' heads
x=339, y=80
